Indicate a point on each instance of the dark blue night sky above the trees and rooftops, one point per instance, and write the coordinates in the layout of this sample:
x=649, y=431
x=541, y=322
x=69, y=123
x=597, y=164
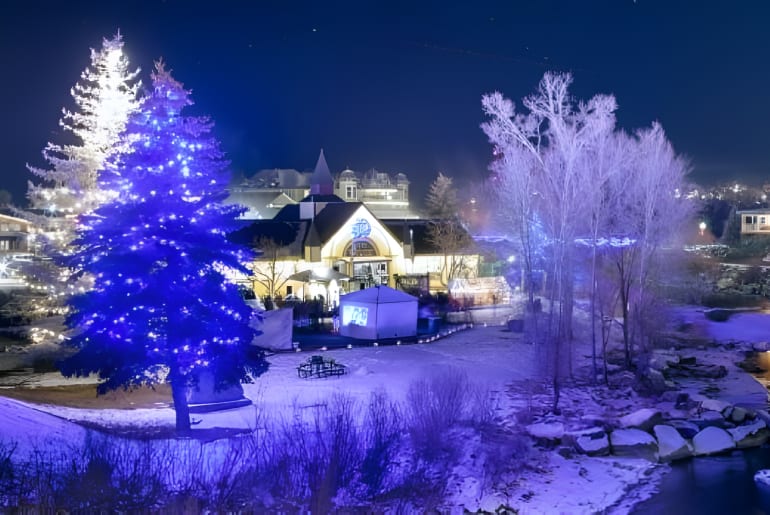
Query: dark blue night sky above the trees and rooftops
x=397, y=85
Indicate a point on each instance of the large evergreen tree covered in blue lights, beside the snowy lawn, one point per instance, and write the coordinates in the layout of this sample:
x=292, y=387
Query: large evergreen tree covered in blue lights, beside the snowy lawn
x=162, y=303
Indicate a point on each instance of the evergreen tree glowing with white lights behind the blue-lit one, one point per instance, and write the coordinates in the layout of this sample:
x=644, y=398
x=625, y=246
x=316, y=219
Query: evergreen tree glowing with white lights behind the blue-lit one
x=105, y=97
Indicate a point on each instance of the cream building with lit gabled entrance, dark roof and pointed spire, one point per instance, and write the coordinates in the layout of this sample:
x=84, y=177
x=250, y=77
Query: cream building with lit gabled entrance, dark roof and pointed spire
x=323, y=232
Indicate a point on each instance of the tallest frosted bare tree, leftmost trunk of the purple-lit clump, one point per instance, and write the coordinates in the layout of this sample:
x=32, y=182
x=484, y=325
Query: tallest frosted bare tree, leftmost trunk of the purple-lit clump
x=551, y=143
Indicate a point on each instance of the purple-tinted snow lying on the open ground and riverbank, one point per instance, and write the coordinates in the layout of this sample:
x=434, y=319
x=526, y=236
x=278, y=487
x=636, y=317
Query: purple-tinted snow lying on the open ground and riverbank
x=496, y=360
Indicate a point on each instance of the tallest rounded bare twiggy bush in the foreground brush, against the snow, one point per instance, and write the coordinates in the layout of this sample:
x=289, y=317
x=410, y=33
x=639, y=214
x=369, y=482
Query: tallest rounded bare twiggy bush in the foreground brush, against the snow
x=434, y=405
